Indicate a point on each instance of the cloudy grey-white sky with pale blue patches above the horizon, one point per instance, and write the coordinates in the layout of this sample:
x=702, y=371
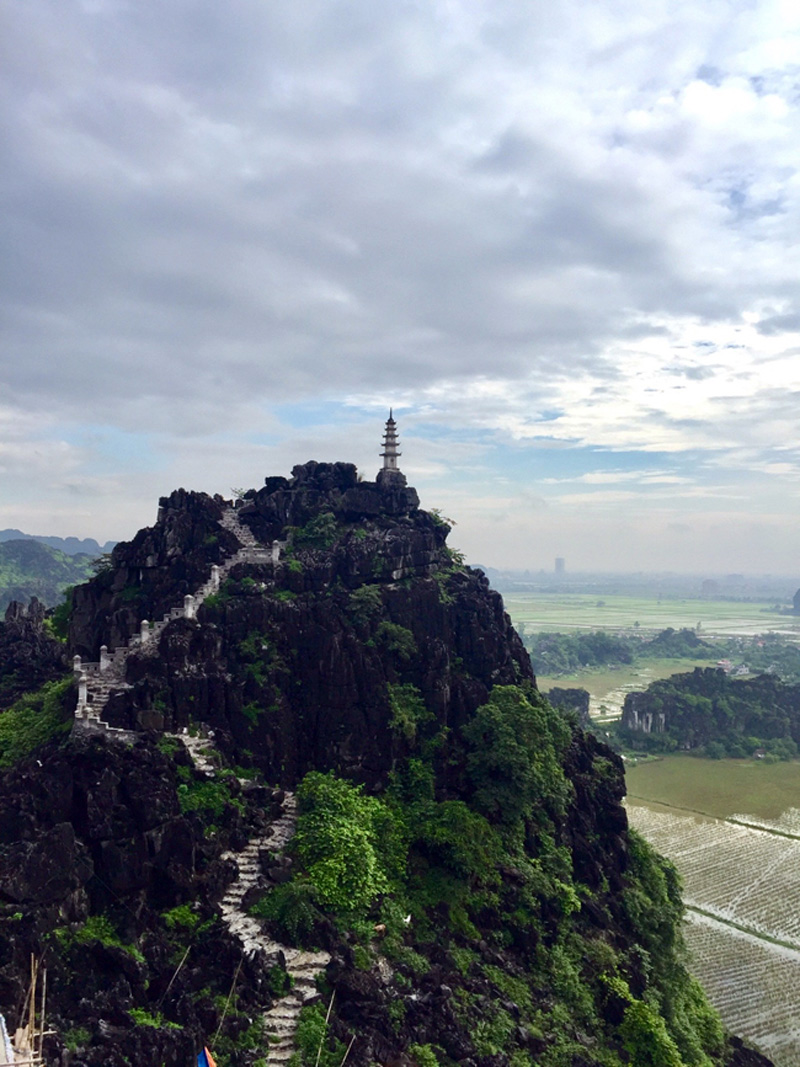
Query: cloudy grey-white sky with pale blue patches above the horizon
x=559, y=238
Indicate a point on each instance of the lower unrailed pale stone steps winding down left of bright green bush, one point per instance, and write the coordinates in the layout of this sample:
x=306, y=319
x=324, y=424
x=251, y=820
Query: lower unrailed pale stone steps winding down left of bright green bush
x=281, y=1021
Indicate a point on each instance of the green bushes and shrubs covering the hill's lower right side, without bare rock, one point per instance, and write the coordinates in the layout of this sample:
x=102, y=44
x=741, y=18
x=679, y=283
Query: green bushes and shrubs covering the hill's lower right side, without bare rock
x=490, y=881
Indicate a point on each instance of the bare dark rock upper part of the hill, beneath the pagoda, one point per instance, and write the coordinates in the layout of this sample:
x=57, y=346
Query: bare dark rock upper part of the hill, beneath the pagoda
x=314, y=598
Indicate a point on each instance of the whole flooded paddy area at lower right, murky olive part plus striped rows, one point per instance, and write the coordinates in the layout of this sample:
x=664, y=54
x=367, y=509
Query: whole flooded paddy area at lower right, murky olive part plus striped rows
x=733, y=831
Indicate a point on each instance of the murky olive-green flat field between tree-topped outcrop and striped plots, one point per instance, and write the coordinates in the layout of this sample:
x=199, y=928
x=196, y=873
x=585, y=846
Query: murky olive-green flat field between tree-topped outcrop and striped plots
x=719, y=788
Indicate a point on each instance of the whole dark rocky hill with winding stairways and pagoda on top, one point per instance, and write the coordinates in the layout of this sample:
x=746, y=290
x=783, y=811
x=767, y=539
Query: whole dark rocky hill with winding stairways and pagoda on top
x=301, y=801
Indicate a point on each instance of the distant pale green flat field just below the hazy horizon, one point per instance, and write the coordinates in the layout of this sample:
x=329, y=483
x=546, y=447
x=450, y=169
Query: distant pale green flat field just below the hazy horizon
x=567, y=613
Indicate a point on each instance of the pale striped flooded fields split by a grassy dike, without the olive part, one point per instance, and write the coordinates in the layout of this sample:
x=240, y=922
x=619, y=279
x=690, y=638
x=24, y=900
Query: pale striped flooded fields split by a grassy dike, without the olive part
x=749, y=878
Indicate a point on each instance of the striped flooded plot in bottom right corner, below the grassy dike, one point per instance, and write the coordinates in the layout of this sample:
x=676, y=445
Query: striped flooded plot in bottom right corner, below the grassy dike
x=755, y=986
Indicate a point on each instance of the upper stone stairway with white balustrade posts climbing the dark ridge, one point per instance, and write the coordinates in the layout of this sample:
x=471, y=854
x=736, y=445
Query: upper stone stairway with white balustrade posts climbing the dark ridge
x=98, y=680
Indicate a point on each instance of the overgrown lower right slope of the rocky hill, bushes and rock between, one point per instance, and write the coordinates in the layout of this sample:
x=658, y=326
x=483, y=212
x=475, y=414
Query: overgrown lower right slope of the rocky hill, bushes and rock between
x=504, y=948
